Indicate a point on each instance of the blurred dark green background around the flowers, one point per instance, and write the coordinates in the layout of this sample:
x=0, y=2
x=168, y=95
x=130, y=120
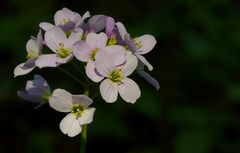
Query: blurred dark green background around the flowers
x=196, y=61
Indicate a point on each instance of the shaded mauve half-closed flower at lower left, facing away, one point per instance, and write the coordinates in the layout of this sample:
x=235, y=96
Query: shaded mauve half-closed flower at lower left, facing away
x=37, y=90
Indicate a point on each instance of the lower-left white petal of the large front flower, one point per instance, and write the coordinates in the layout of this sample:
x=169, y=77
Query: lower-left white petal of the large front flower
x=109, y=91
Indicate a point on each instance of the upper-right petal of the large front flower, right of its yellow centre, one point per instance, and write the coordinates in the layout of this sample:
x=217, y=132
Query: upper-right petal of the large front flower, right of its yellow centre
x=130, y=65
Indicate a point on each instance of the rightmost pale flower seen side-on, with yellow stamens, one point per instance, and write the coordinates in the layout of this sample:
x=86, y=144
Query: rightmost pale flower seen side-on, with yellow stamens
x=139, y=46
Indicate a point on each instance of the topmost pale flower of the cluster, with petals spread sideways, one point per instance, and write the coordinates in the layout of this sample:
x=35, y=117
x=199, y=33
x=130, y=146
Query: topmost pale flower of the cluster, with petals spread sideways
x=66, y=19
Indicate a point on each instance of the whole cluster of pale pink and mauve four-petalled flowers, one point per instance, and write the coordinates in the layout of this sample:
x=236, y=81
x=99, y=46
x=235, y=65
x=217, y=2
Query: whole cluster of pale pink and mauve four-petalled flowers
x=110, y=56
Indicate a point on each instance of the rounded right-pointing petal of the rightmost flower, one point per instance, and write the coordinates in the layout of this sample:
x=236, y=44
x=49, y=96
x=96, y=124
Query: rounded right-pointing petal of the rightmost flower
x=147, y=42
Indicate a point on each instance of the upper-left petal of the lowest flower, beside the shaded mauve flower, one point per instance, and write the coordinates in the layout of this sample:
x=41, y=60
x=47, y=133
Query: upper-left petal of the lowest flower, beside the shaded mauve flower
x=61, y=100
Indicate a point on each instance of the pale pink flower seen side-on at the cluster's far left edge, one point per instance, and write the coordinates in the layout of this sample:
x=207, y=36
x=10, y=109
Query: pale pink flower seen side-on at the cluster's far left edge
x=34, y=49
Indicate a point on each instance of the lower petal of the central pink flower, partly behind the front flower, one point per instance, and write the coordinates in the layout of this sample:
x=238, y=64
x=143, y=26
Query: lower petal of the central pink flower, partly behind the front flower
x=92, y=72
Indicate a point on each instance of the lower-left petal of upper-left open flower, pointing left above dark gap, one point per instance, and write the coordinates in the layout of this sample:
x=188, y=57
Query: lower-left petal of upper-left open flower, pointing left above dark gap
x=47, y=60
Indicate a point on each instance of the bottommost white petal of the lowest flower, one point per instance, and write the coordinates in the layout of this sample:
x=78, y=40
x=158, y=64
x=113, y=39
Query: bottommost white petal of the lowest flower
x=70, y=126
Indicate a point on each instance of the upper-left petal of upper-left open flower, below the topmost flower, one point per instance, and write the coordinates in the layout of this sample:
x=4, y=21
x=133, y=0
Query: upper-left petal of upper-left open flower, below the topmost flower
x=54, y=37
